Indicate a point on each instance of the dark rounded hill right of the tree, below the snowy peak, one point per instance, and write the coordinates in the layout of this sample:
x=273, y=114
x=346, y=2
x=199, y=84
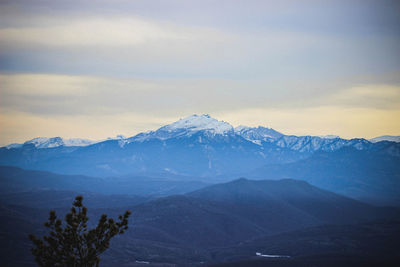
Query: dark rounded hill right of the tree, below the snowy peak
x=245, y=208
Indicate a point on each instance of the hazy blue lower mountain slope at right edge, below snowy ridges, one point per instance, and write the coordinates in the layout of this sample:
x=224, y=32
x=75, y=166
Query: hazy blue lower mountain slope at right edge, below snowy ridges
x=369, y=176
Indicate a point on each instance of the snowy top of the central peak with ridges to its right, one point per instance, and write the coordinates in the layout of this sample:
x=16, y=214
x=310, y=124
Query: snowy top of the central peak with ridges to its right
x=258, y=135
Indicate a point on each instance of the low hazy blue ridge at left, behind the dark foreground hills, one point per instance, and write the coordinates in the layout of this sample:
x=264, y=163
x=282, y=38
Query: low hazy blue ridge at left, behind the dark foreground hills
x=16, y=180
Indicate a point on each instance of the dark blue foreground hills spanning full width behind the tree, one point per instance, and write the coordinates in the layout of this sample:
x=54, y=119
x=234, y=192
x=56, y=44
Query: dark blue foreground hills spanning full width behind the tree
x=222, y=222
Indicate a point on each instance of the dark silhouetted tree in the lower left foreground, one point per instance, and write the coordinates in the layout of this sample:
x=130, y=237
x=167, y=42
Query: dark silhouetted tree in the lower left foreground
x=75, y=245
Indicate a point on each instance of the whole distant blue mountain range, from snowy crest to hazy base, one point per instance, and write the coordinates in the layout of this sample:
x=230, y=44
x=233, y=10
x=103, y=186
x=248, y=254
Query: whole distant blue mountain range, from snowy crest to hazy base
x=201, y=146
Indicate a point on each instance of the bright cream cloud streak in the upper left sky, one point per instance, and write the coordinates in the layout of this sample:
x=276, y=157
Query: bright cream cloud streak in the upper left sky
x=95, y=31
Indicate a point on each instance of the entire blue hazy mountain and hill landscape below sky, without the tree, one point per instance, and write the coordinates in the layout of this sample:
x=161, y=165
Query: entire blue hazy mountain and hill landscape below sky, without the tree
x=309, y=197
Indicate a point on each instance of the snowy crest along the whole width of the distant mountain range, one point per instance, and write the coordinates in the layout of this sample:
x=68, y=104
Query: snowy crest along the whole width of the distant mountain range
x=211, y=127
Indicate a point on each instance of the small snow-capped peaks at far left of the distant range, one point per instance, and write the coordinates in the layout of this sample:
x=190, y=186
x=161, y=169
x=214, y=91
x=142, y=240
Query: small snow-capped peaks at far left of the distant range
x=45, y=142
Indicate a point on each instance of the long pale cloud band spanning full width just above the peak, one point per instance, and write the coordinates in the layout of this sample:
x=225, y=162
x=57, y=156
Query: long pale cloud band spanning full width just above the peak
x=54, y=95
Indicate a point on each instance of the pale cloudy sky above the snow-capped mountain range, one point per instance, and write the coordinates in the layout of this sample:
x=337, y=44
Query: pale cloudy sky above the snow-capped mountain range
x=99, y=68
